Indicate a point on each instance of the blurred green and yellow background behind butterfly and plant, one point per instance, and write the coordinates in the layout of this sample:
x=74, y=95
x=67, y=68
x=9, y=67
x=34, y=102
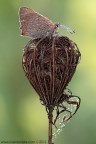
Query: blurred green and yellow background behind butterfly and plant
x=22, y=117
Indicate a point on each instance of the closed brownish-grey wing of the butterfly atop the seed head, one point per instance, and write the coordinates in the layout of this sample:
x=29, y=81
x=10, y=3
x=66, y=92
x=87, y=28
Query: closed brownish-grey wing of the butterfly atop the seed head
x=34, y=25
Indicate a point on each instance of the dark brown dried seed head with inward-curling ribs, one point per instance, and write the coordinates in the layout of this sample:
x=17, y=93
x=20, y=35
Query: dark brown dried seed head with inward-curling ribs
x=49, y=64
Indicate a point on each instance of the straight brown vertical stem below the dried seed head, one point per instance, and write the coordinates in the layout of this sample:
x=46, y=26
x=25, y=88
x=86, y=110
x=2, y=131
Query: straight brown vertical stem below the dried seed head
x=50, y=117
